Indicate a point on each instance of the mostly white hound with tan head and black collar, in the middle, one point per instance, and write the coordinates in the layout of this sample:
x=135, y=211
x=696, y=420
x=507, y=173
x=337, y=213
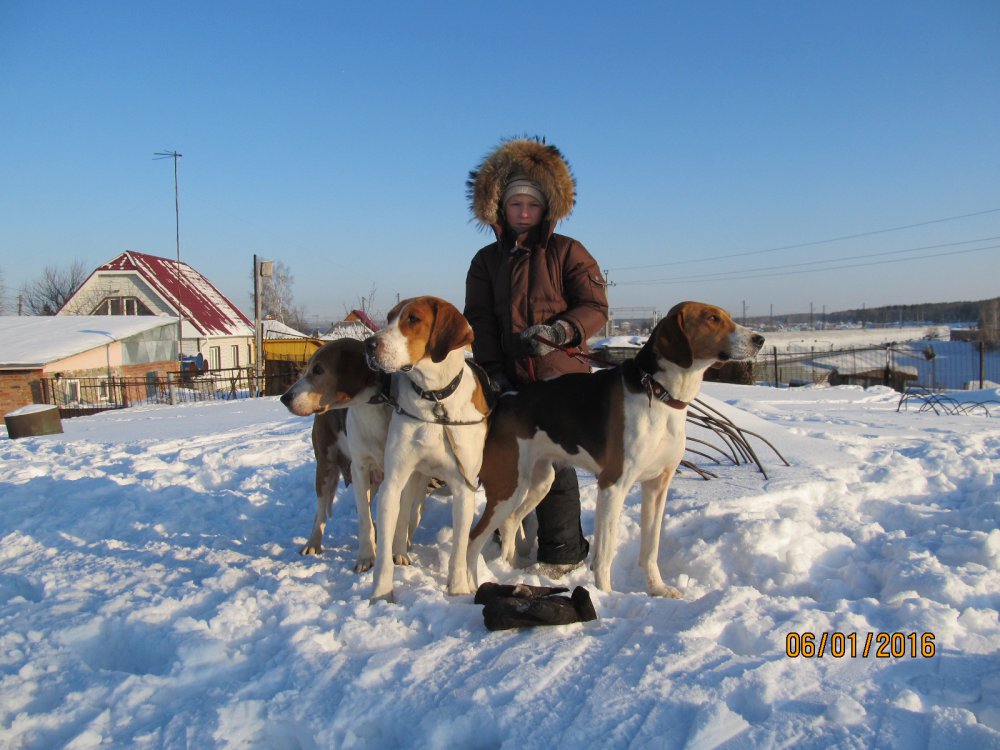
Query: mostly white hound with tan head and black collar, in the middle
x=438, y=426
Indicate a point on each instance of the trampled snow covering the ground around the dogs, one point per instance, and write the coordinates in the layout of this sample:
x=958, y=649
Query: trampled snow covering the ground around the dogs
x=152, y=596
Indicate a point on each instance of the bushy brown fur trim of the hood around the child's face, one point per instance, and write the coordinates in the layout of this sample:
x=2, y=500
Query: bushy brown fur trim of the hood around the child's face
x=531, y=157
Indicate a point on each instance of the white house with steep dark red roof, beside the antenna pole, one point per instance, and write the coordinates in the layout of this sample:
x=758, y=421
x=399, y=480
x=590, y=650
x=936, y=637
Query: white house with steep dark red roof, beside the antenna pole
x=139, y=284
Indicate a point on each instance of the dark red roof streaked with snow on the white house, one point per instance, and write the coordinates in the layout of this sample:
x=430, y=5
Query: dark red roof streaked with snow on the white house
x=192, y=295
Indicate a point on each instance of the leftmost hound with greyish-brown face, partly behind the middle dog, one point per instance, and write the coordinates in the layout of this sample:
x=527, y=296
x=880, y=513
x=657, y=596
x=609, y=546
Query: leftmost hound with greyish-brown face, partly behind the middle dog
x=349, y=430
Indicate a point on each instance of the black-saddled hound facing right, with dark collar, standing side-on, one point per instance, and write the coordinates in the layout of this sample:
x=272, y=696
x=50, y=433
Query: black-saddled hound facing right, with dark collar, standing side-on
x=624, y=424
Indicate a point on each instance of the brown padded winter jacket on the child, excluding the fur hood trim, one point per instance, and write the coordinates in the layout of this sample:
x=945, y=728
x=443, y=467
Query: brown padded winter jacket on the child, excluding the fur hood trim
x=506, y=292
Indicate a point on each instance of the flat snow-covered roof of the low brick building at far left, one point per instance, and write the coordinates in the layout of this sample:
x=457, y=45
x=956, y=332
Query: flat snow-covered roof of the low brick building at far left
x=34, y=341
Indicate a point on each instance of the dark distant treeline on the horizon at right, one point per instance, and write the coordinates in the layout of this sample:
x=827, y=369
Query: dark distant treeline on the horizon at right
x=891, y=315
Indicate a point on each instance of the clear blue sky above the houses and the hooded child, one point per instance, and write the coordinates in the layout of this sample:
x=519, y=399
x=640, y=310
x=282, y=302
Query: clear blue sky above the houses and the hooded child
x=717, y=147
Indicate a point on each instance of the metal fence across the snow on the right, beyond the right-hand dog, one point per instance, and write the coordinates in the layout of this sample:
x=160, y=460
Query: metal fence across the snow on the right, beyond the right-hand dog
x=933, y=365
